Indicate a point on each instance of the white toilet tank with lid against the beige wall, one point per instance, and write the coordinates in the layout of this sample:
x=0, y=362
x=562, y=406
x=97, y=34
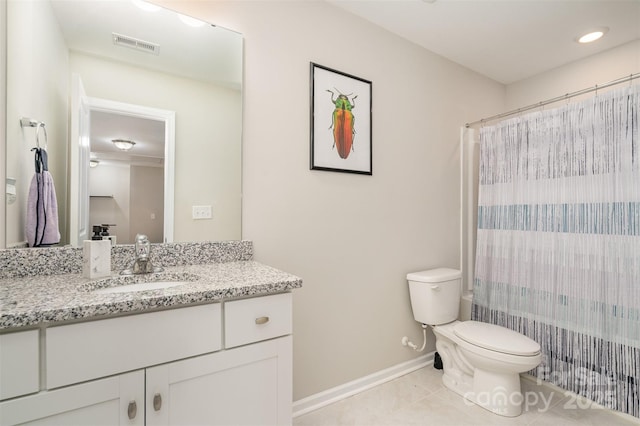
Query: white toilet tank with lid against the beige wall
x=435, y=295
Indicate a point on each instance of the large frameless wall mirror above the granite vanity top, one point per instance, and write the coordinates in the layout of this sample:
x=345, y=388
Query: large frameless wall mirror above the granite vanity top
x=122, y=53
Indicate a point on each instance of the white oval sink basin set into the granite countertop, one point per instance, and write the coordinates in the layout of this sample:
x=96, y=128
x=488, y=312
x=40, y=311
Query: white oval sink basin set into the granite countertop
x=142, y=282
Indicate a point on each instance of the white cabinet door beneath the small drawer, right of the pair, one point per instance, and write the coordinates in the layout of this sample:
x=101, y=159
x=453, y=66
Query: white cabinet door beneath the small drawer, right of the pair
x=250, y=385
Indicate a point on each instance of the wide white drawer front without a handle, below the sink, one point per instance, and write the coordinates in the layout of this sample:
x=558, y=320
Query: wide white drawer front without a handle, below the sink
x=85, y=351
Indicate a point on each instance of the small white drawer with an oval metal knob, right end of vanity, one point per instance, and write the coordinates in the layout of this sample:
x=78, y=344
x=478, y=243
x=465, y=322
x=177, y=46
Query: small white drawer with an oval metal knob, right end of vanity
x=260, y=318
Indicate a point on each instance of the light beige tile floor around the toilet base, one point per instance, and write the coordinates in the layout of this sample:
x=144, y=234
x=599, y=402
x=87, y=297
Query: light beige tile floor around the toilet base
x=420, y=398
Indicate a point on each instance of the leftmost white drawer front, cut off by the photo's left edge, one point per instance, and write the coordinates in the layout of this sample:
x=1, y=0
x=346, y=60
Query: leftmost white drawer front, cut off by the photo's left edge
x=19, y=364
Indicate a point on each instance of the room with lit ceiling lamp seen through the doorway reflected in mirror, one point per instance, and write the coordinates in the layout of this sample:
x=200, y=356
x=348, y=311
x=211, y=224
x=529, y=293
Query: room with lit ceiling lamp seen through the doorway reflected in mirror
x=126, y=181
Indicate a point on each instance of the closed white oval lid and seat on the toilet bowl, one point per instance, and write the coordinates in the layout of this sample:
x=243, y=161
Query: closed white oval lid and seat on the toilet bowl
x=496, y=338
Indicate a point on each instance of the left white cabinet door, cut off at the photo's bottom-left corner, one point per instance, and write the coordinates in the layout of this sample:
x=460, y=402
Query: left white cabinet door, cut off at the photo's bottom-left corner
x=101, y=402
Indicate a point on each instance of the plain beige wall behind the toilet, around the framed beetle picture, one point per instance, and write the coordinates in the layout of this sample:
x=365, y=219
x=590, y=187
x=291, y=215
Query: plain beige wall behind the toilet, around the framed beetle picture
x=351, y=238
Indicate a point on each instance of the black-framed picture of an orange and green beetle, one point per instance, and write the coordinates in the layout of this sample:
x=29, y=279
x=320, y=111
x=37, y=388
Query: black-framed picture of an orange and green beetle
x=340, y=122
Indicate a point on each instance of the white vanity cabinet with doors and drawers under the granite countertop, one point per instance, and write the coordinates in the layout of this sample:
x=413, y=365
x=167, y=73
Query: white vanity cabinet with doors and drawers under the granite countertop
x=167, y=367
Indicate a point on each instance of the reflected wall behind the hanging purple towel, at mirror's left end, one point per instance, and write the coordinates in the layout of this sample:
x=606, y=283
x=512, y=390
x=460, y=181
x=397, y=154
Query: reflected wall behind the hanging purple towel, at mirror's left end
x=37, y=88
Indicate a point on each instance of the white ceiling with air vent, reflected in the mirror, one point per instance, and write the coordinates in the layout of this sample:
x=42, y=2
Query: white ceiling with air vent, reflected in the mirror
x=206, y=53
